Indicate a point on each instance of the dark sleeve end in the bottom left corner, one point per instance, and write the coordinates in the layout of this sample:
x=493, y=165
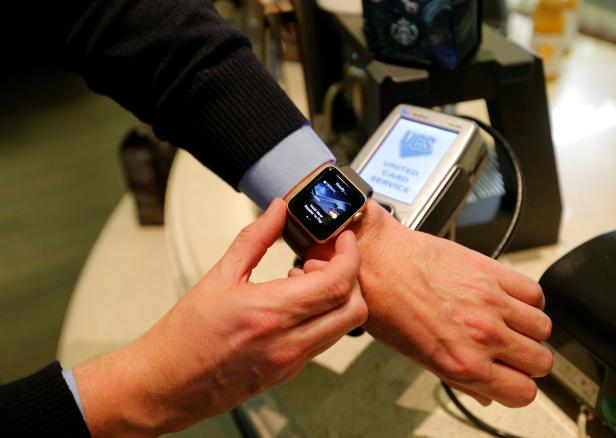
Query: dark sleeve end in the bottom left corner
x=40, y=405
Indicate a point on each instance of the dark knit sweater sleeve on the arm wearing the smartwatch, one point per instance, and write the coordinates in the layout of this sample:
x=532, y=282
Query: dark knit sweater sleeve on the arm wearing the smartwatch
x=179, y=66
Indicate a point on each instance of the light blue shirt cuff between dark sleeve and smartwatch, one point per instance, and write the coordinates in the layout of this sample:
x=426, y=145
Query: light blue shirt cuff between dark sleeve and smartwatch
x=284, y=166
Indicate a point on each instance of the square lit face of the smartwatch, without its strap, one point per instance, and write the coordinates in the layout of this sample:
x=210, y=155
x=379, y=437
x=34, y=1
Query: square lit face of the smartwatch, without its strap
x=326, y=203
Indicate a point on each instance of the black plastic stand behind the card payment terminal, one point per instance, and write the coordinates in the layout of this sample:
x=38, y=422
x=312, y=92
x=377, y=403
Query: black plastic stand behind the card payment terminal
x=511, y=81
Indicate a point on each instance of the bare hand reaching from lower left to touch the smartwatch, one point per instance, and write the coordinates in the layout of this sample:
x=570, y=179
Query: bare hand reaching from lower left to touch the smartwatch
x=226, y=340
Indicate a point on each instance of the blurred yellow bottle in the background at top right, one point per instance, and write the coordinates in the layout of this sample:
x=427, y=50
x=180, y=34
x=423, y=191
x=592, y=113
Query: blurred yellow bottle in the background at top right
x=549, y=33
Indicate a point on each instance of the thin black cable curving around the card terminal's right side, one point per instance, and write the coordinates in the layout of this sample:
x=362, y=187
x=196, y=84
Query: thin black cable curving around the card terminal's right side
x=500, y=141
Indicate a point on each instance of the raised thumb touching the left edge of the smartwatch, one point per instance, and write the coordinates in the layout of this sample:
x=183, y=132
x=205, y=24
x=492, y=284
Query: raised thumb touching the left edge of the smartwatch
x=251, y=243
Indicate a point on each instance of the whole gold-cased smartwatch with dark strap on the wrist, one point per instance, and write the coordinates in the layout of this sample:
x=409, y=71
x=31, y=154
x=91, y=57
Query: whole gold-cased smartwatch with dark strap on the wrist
x=322, y=207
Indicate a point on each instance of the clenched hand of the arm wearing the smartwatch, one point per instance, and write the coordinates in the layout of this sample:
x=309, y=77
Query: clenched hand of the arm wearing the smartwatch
x=469, y=319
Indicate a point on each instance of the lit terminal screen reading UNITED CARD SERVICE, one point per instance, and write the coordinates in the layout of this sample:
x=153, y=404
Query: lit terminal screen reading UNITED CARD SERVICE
x=406, y=158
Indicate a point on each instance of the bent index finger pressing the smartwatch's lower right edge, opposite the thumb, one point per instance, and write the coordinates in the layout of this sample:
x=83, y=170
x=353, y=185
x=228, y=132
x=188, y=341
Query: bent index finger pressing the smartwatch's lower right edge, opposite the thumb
x=305, y=296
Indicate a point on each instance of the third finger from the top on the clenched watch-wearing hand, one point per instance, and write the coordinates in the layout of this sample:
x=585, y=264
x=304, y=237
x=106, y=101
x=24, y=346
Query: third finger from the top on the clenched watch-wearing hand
x=526, y=355
